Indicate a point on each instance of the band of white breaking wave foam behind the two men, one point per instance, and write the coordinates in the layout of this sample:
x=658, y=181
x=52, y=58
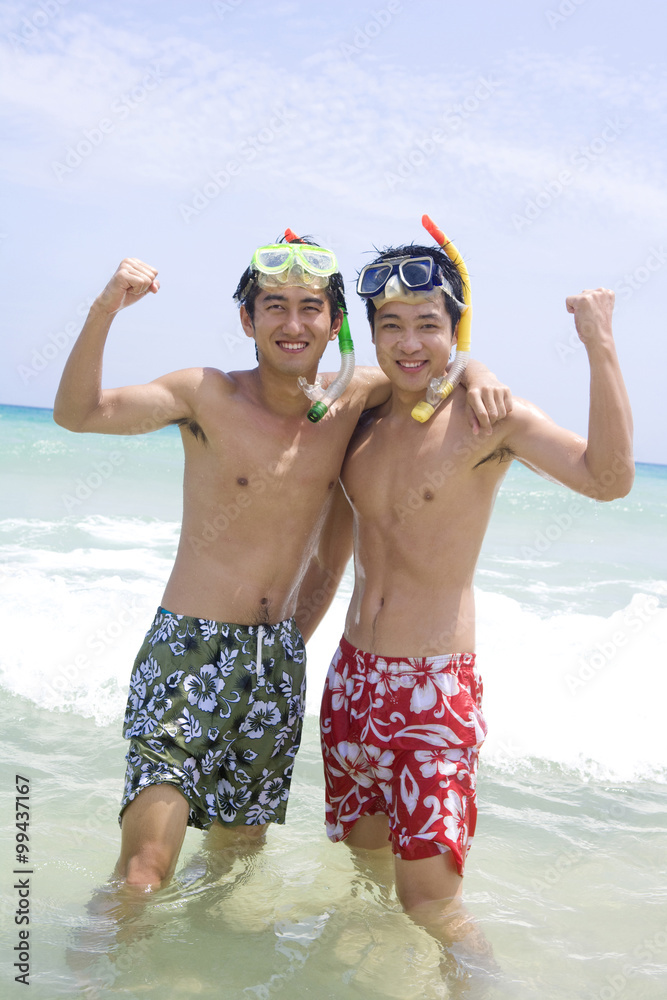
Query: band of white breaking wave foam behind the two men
x=580, y=690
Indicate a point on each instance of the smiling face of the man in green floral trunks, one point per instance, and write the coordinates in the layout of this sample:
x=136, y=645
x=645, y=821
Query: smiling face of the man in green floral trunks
x=291, y=327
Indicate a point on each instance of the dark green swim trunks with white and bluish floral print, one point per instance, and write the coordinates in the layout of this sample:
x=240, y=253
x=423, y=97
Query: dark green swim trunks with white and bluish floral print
x=217, y=710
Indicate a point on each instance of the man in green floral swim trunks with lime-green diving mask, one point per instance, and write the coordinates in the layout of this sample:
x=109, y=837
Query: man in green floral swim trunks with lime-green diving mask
x=216, y=697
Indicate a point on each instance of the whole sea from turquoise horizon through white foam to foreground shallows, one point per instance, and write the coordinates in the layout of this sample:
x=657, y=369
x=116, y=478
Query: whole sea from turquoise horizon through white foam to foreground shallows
x=567, y=876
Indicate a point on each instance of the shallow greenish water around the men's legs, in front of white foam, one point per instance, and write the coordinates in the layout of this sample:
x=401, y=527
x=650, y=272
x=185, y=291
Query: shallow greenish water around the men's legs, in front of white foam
x=563, y=877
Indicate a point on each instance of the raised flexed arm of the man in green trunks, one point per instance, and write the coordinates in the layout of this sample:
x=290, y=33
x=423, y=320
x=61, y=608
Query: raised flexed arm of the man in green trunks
x=81, y=404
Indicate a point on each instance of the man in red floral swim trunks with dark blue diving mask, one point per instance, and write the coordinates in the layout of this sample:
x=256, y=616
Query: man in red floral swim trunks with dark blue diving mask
x=401, y=717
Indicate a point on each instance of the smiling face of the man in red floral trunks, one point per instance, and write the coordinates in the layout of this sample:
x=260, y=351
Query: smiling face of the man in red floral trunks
x=413, y=341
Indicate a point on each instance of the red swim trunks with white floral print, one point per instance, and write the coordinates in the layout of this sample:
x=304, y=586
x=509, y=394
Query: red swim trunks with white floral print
x=401, y=736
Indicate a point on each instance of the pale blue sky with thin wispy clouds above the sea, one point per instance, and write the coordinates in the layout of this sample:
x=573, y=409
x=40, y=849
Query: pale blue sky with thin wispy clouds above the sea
x=187, y=134
